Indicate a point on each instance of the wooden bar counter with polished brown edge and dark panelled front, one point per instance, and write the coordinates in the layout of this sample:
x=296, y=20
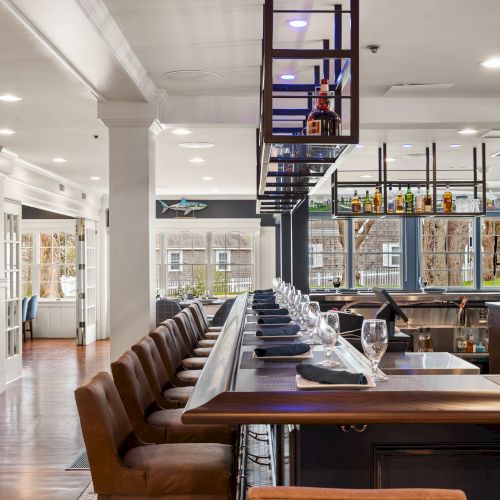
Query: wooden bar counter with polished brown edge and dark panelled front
x=412, y=430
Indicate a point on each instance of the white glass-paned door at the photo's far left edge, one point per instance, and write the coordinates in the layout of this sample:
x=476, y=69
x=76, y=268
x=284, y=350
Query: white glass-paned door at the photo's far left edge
x=12, y=319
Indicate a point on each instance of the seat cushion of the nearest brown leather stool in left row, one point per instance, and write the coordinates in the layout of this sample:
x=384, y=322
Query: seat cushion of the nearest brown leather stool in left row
x=182, y=469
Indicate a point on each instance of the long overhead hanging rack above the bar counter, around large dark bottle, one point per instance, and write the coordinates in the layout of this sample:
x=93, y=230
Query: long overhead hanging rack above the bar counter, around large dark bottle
x=289, y=161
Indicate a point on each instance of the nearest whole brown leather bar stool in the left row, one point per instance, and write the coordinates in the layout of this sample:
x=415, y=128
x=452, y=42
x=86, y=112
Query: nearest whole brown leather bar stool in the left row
x=125, y=468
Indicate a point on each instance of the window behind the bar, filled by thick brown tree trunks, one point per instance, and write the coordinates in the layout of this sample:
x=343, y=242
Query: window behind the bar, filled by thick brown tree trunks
x=447, y=252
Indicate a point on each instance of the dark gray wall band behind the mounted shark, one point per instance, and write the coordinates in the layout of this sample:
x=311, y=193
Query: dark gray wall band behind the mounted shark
x=218, y=209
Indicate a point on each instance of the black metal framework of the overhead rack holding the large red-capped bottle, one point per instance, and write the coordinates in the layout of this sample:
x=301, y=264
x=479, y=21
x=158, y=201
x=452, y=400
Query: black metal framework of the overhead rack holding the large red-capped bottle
x=273, y=137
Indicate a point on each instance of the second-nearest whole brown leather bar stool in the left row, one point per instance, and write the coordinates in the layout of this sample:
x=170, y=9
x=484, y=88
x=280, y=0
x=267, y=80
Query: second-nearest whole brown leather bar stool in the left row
x=151, y=422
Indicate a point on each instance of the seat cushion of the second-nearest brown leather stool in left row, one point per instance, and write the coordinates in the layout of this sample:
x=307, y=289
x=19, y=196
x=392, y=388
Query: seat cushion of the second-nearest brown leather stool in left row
x=177, y=432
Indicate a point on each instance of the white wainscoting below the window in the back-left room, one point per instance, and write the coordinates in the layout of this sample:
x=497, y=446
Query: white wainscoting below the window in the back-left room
x=55, y=320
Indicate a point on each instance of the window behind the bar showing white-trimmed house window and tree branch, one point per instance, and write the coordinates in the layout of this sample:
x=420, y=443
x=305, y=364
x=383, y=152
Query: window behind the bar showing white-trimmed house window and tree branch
x=377, y=253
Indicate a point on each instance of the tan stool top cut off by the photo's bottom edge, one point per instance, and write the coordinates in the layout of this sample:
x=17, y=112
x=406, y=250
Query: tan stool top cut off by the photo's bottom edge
x=305, y=493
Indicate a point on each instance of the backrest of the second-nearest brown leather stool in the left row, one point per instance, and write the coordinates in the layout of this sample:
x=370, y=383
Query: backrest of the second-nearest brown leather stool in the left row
x=136, y=395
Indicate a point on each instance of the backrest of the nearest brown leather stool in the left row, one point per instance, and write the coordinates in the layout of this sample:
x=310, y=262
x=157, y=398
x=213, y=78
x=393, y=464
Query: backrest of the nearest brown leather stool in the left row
x=107, y=432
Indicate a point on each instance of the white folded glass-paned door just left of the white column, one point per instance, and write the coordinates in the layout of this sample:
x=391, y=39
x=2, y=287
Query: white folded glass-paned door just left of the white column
x=86, y=284
